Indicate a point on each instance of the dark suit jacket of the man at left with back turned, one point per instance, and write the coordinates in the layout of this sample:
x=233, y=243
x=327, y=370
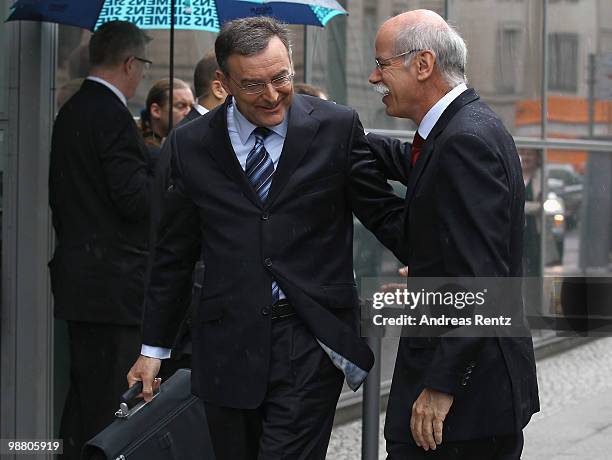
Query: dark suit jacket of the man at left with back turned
x=99, y=193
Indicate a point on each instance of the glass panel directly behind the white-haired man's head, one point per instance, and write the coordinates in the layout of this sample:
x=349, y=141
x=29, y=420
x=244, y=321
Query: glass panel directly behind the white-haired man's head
x=504, y=52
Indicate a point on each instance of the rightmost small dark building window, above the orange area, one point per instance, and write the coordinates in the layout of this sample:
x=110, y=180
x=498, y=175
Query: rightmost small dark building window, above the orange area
x=563, y=62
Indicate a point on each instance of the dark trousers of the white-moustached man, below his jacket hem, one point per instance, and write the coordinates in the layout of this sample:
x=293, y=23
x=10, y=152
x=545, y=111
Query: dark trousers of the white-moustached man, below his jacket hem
x=494, y=448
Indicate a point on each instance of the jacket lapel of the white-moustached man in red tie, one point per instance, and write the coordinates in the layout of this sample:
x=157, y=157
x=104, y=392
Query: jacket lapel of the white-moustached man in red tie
x=427, y=150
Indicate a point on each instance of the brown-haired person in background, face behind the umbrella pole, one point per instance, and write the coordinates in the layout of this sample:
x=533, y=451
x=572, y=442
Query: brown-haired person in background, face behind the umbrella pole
x=154, y=117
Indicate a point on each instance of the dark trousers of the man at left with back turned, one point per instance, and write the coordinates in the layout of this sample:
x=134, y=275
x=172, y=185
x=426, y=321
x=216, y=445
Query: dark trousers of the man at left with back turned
x=100, y=357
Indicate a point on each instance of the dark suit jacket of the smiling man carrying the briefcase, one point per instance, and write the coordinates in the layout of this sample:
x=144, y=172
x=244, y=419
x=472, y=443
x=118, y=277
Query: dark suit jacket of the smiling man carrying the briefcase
x=301, y=236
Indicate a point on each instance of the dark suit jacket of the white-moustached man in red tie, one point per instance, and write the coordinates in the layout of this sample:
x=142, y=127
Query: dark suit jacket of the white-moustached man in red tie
x=464, y=217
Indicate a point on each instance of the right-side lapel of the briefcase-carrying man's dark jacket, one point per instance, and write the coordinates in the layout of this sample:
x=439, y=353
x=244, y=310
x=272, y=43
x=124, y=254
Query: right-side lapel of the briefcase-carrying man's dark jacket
x=300, y=132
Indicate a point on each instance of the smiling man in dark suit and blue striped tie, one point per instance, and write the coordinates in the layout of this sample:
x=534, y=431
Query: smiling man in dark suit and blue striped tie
x=262, y=191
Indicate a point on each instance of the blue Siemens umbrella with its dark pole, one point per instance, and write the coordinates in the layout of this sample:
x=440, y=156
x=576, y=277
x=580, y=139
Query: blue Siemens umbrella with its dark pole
x=205, y=15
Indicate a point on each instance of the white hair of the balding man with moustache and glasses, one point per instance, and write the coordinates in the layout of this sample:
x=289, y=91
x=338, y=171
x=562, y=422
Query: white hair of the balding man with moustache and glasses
x=445, y=42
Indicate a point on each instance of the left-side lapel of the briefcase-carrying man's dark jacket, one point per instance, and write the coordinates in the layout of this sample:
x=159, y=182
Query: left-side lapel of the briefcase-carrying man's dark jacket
x=217, y=142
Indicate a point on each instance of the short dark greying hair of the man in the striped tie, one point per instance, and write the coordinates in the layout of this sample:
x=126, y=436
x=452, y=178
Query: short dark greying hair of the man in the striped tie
x=248, y=36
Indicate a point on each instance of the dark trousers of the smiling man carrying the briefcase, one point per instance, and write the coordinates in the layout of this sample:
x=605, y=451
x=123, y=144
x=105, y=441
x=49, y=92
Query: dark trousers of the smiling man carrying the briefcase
x=295, y=419
